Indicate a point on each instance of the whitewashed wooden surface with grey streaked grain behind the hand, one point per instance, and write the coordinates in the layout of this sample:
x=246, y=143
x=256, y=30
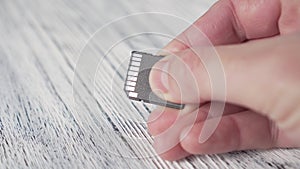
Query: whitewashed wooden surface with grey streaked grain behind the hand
x=51, y=117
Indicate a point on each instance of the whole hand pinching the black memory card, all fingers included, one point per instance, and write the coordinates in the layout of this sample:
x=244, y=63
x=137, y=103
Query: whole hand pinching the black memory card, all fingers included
x=258, y=44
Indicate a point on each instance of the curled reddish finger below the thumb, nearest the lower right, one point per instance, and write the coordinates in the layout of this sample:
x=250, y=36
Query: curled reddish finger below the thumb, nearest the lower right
x=241, y=131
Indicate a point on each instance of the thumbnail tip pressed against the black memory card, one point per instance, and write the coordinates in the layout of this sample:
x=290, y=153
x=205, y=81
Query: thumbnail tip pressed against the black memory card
x=159, y=78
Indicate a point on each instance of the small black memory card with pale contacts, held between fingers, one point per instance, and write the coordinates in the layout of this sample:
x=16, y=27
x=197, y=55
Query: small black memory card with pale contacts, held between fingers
x=137, y=85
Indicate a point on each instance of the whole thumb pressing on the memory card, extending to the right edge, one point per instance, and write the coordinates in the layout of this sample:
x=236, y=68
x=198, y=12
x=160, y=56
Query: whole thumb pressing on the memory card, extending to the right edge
x=256, y=76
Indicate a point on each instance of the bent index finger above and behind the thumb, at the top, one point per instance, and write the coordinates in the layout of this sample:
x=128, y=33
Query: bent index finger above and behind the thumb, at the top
x=230, y=21
